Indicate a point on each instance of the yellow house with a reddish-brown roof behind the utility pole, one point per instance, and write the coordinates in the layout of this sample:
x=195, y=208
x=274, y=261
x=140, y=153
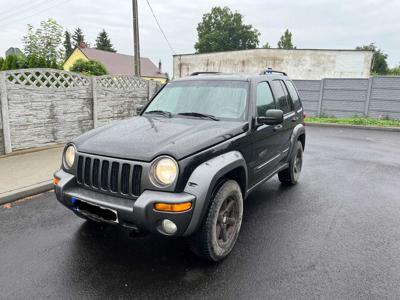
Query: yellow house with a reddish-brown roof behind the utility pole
x=116, y=63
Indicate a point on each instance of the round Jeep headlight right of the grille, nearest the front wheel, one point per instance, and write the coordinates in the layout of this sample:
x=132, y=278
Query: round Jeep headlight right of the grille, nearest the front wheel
x=164, y=171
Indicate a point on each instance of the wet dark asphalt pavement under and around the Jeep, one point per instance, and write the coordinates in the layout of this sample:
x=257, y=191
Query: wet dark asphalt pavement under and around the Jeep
x=334, y=235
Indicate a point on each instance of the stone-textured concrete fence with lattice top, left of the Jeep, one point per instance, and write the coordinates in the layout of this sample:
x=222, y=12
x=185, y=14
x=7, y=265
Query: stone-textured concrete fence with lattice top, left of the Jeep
x=42, y=107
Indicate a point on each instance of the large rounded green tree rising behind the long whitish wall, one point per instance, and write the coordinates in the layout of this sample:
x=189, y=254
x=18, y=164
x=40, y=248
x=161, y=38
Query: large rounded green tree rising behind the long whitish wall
x=223, y=30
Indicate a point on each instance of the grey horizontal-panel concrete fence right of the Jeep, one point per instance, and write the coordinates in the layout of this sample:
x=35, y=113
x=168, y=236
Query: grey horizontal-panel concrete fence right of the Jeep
x=376, y=97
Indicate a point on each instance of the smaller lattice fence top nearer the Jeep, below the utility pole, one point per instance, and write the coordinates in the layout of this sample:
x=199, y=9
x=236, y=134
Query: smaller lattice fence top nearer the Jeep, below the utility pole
x=121, y=82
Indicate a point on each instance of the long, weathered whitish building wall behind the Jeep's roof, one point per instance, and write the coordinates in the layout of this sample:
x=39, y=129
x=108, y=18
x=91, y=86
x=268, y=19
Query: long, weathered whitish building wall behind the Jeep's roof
x=298, y=64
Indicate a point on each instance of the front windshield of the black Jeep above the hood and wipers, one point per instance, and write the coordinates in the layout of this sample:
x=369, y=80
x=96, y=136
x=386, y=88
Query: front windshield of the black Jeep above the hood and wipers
x=226, y=100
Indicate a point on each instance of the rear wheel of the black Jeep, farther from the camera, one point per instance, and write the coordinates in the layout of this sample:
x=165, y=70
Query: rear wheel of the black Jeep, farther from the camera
x=291, y=175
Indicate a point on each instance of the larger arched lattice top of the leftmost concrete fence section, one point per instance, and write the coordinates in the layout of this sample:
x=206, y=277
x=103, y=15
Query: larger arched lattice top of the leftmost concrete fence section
x=47, y=78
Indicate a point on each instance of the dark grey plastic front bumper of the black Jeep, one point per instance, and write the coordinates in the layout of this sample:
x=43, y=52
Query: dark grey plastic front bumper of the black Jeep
x=132, y=214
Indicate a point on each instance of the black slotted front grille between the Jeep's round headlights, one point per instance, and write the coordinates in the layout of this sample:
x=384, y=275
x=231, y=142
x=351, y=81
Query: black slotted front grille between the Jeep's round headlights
x=109, y=175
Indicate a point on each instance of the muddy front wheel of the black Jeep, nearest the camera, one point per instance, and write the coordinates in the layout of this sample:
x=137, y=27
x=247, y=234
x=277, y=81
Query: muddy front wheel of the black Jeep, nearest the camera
x=221, y=225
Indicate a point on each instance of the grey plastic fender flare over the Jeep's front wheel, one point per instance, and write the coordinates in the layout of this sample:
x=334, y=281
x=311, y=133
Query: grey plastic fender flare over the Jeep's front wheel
x=203, y=180
